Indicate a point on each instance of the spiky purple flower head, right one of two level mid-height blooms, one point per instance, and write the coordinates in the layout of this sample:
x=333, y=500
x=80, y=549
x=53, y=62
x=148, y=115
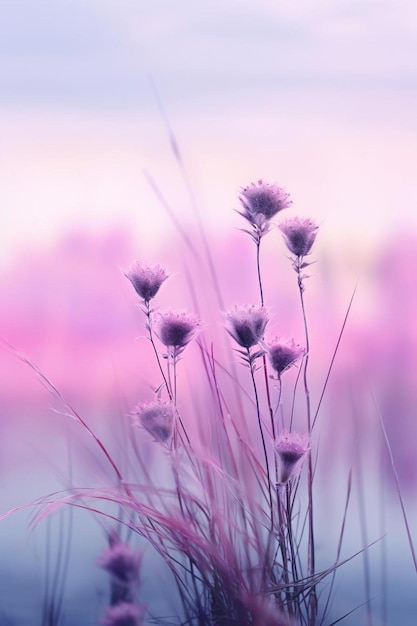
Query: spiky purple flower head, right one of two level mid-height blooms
x=246, y=324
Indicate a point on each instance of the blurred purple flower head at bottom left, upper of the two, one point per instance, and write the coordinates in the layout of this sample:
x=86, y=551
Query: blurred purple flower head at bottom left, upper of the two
x=121, y=562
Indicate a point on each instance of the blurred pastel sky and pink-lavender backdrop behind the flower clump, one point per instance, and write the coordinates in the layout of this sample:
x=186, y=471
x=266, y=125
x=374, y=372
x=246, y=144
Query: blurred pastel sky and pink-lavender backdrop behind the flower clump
x=127, y=129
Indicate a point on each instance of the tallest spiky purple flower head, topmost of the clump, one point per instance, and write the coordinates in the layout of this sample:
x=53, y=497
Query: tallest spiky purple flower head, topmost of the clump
x=261, y=202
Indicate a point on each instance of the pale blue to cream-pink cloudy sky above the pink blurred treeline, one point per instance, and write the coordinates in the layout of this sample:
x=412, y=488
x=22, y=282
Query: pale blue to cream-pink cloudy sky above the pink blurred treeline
x=319, y=97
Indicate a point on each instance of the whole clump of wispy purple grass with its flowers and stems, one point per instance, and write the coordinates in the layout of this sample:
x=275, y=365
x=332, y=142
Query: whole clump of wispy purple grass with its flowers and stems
x=227, y=501
